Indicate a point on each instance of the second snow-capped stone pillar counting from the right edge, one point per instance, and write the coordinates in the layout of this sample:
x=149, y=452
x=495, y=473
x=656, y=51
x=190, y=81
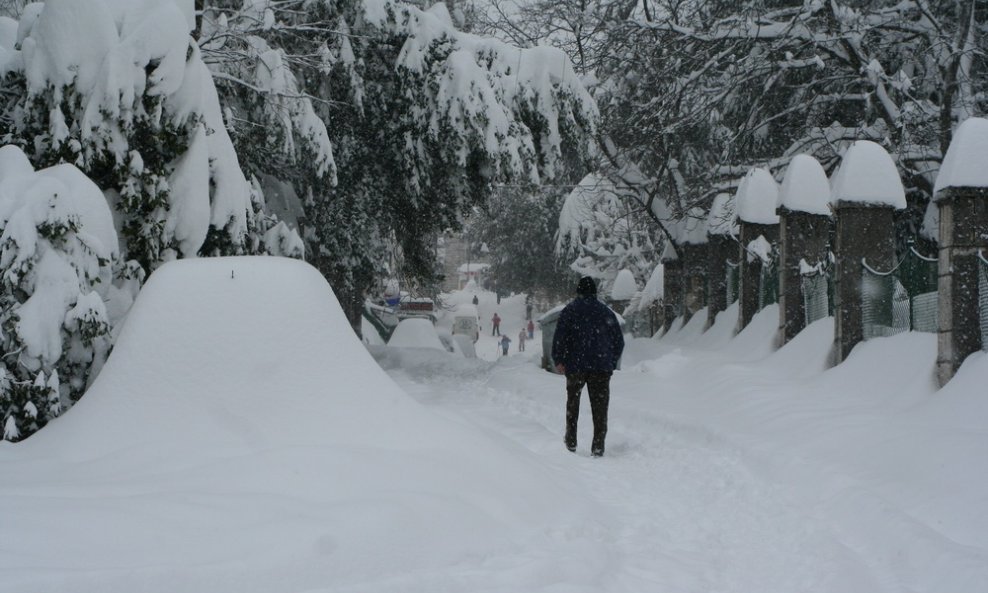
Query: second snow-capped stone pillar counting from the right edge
x=865, y=193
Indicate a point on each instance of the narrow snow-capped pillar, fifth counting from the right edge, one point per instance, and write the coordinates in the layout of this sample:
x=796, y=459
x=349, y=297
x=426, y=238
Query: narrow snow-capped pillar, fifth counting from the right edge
x=722, y=245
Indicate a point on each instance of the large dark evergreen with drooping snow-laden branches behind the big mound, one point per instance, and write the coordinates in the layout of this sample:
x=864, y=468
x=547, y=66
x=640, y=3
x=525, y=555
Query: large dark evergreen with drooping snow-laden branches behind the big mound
x=423, y=120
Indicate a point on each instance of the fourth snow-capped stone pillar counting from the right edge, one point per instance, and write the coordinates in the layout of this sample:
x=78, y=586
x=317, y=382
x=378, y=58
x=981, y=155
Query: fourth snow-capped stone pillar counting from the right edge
x=757, y=198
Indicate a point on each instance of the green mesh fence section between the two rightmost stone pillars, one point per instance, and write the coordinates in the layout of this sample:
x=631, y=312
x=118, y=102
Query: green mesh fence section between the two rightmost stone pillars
x=901, y=299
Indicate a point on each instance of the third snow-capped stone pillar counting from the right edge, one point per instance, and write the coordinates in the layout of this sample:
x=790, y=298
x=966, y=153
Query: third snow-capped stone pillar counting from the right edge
x=804, y=237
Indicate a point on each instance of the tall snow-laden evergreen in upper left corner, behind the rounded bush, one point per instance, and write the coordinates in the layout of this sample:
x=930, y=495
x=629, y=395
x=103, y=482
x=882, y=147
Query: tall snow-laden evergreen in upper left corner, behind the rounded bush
x=117, y=89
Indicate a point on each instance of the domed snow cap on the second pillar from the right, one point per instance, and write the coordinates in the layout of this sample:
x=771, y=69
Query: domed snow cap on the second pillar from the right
x=868, y=176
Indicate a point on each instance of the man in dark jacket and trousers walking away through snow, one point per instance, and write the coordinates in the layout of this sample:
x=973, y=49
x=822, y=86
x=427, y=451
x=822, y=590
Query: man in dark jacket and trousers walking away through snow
x=586, y=348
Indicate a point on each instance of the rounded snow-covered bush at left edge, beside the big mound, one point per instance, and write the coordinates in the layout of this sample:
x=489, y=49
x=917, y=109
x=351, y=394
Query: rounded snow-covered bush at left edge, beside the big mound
x=57, y=242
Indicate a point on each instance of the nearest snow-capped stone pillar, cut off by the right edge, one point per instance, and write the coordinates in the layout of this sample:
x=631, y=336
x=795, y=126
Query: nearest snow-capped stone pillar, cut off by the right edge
x=961, y=193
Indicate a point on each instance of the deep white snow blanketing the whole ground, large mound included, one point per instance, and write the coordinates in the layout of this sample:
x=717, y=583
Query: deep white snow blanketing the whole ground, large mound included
x=241, y=439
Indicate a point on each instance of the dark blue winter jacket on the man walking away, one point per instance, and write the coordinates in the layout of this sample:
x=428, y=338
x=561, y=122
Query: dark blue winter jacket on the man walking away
x=588, y=337
